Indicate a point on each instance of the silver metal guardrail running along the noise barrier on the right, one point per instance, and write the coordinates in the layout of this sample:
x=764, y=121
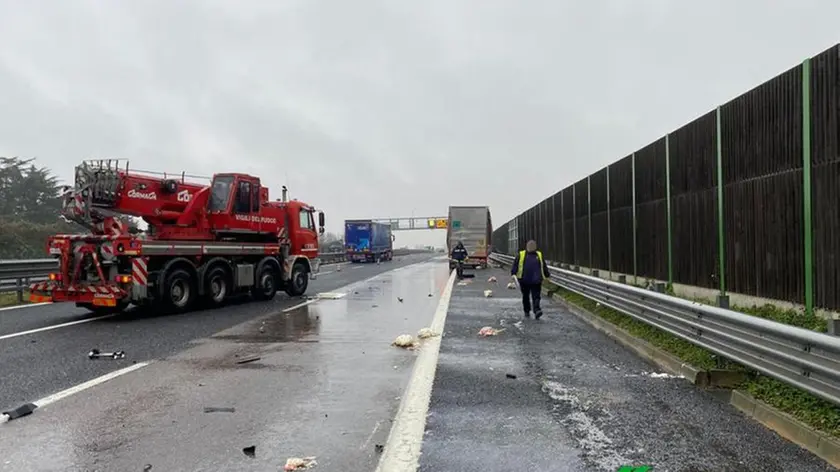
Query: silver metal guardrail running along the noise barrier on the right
x=802, y=358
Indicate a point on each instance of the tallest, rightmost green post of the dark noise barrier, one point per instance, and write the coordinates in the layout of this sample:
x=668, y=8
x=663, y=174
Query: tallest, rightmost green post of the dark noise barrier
x=806, y=187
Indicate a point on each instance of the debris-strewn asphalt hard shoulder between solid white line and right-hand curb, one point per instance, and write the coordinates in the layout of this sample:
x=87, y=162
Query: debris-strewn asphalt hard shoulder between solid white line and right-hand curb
x=579, y=402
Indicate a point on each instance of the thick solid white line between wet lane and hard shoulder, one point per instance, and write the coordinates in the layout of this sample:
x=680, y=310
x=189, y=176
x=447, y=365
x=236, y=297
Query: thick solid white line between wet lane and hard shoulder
x=402, y=450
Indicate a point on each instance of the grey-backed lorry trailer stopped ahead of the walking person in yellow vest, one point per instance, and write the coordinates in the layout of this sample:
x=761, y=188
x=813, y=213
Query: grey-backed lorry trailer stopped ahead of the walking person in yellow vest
x=472, y=226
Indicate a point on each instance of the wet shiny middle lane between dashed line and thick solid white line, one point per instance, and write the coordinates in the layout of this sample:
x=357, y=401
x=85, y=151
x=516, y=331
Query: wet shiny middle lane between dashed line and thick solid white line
x=319, y=380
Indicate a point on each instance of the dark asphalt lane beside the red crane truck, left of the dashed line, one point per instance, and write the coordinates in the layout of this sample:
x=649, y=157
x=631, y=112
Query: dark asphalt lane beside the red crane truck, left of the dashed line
x=39, y=364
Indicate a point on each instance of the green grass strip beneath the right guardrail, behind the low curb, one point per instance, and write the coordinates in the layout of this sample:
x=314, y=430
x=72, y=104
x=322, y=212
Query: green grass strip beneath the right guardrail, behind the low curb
x=817, y=413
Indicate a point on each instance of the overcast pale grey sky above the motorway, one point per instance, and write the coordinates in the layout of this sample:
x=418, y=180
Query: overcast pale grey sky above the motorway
x=372, y=108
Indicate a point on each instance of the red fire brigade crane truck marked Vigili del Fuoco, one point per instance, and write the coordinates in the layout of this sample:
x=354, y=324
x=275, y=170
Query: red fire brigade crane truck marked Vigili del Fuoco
x=203, y=243
